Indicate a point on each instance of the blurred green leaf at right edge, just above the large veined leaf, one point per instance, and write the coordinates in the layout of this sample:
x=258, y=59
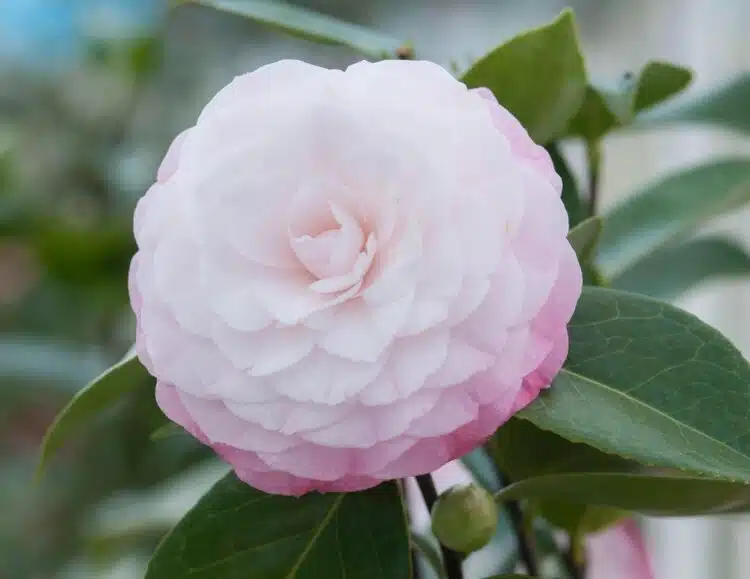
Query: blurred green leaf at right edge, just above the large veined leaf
x=672, y=270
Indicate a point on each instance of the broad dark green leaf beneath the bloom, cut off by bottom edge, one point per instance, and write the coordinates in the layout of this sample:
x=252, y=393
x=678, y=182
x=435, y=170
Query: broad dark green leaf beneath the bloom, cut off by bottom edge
x=237, y=531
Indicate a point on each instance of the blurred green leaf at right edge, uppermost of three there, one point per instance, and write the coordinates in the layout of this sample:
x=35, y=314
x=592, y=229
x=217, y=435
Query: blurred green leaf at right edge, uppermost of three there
x=725, y=107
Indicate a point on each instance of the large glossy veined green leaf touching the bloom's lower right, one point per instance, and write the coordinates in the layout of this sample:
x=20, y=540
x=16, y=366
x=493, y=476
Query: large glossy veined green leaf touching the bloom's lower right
x=651, y=383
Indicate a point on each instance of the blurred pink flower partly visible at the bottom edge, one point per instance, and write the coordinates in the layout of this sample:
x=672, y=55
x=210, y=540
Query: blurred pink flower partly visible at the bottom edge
x=618, y=553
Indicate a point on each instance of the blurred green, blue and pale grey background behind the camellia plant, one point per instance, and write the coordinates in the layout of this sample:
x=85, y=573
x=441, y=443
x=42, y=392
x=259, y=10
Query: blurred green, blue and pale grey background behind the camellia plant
x=91, y=93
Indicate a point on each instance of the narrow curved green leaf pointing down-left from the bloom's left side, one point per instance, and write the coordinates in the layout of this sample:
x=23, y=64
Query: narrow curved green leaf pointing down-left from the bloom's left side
x=98, y=395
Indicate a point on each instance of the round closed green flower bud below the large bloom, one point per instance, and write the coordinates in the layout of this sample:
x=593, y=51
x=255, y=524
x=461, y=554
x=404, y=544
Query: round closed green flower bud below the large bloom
x=464, y=518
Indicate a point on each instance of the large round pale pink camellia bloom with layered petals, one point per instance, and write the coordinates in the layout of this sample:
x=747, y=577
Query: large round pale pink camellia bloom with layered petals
x=345, y=277
